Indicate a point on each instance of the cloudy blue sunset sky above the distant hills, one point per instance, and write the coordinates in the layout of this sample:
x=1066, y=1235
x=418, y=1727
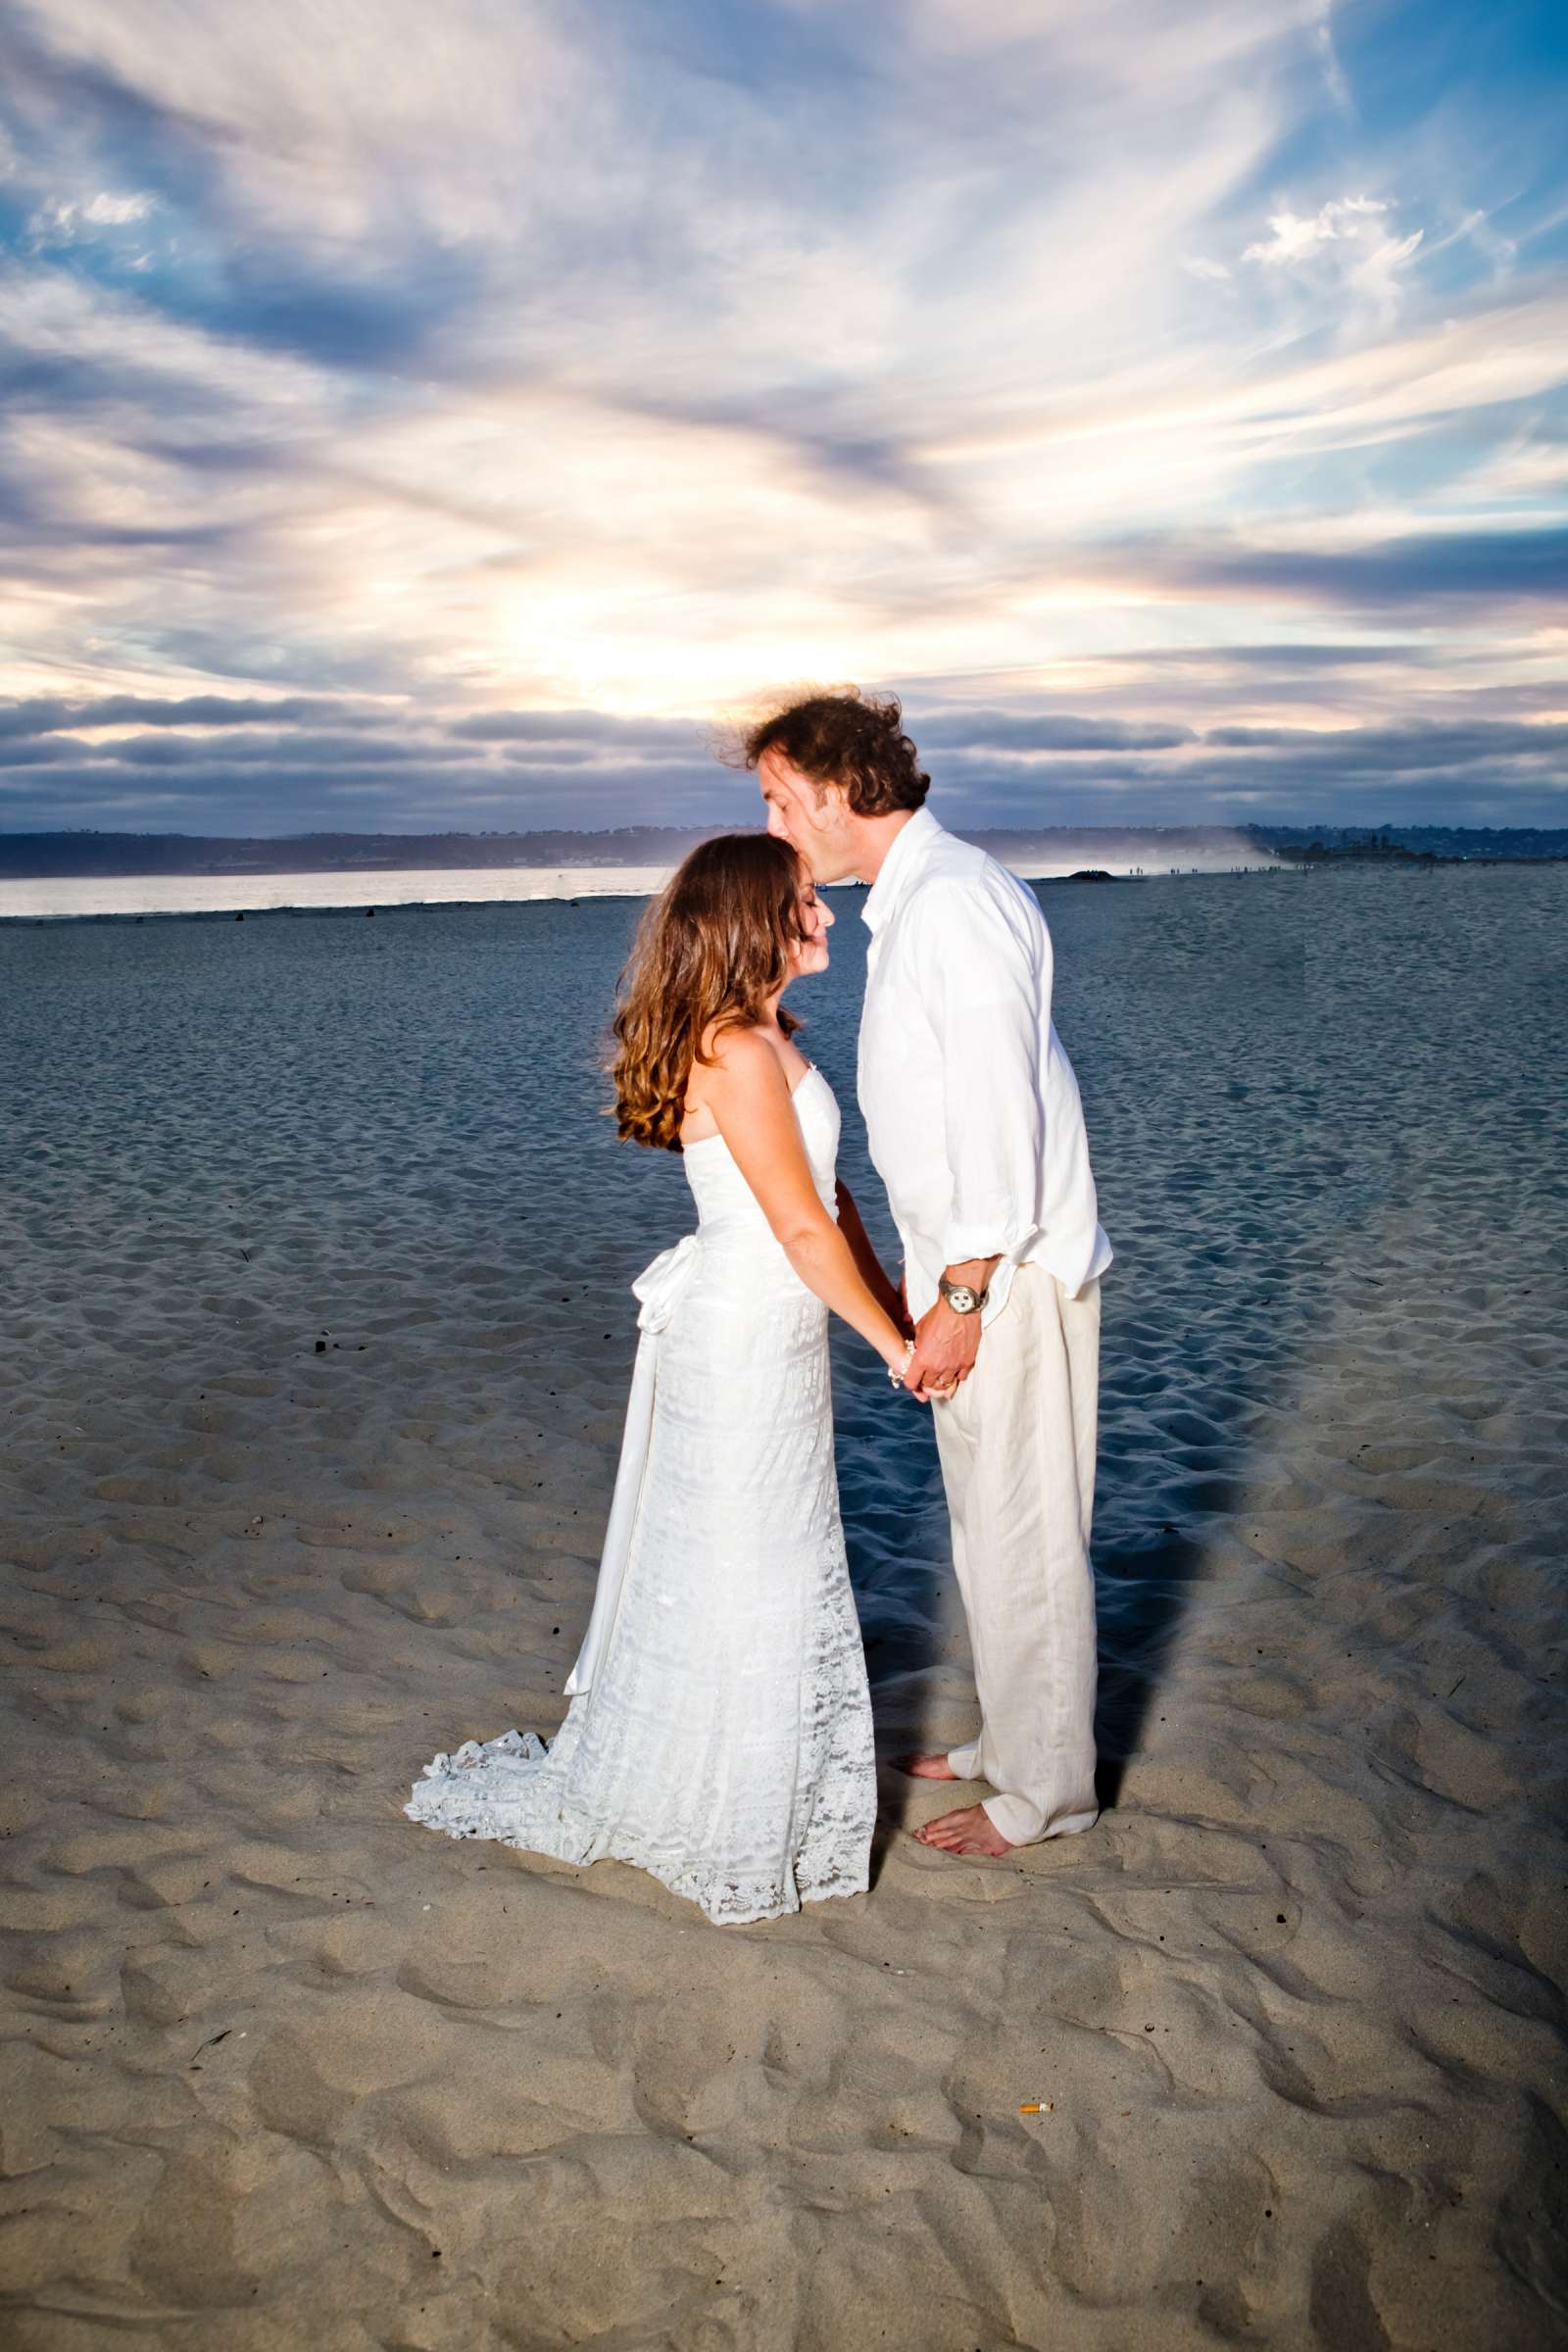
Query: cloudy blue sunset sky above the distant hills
x=460, y=417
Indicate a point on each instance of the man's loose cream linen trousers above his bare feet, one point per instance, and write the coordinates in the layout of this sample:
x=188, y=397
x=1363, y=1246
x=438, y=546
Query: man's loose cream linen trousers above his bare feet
x=1019, y=1466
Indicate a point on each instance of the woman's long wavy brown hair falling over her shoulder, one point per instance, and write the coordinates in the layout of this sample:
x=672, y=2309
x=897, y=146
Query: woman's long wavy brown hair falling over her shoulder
x=711, y=951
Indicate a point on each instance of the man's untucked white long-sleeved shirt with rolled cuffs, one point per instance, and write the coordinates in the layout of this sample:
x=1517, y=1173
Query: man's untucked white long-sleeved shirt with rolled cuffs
x=970, y=1102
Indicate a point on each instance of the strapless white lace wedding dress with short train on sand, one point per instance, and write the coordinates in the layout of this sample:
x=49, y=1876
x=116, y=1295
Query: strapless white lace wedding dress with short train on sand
x=721, y=1730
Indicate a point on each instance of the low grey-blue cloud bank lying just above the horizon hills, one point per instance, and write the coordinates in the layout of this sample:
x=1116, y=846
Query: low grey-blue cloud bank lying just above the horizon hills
x=575, y=768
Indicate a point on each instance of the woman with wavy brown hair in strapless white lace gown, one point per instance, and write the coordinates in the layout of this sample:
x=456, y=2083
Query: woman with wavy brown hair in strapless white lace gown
x=721, y=1728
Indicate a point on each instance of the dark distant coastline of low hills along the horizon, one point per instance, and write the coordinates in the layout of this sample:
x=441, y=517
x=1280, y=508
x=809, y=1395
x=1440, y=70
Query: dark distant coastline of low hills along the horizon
x=27, y=857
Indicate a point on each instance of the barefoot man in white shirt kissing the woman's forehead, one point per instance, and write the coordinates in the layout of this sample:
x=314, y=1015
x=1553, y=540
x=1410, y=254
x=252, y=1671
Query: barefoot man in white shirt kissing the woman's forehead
x=974, y=1123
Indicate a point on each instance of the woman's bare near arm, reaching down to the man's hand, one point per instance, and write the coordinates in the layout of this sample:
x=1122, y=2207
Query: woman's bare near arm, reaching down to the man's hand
x=753, y=1111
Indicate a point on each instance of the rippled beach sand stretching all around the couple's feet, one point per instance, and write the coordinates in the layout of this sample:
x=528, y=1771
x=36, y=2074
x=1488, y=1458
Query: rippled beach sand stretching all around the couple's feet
x=314, y=1344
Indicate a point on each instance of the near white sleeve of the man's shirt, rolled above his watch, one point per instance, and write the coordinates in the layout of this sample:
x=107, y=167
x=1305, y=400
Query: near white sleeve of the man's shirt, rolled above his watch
x=986, y=1001
